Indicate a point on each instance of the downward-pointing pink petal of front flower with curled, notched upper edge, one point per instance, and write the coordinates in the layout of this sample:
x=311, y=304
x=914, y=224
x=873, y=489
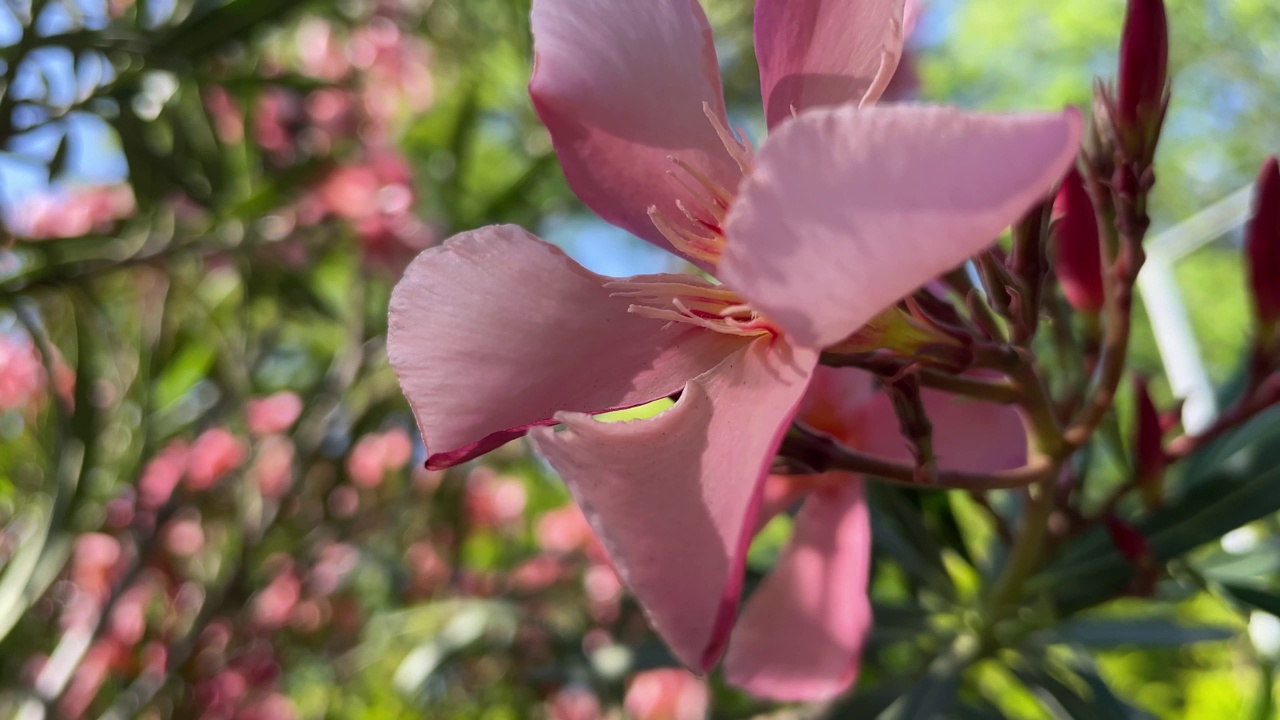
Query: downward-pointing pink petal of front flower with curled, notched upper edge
x=674, y=498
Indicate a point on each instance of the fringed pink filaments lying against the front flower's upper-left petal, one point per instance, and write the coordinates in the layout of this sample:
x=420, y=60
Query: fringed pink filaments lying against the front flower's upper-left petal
x=703, y=238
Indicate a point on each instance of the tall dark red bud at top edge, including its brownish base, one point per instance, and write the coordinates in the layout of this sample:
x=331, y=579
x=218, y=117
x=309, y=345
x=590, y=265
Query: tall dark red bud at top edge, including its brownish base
x=1144, y=84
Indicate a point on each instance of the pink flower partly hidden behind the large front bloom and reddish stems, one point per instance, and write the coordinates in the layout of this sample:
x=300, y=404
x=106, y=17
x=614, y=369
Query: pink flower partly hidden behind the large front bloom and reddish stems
x=802, y=632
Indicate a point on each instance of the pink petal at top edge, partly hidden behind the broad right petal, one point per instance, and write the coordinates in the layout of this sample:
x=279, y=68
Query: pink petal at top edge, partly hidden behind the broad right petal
x=817, y=53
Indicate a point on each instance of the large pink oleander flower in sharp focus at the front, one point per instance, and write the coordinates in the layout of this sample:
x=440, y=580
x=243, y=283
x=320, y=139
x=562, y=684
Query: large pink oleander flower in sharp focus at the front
x=844, y=211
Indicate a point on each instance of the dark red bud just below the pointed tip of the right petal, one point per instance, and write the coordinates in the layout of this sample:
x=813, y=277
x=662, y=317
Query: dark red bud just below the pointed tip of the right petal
x=1077, y=252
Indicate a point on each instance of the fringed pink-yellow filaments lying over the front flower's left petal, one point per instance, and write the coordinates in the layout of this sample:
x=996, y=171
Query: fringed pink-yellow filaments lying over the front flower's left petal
x=685, y=299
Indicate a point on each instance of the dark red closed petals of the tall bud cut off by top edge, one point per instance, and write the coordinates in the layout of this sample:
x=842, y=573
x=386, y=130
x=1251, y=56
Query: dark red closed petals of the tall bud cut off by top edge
x=1144, y=62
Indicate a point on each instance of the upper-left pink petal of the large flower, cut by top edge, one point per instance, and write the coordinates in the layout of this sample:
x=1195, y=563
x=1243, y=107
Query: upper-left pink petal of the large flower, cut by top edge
x=621, y=88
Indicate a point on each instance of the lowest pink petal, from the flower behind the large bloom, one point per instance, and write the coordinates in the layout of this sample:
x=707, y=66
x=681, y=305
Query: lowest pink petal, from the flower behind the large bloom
x=801, y=636
